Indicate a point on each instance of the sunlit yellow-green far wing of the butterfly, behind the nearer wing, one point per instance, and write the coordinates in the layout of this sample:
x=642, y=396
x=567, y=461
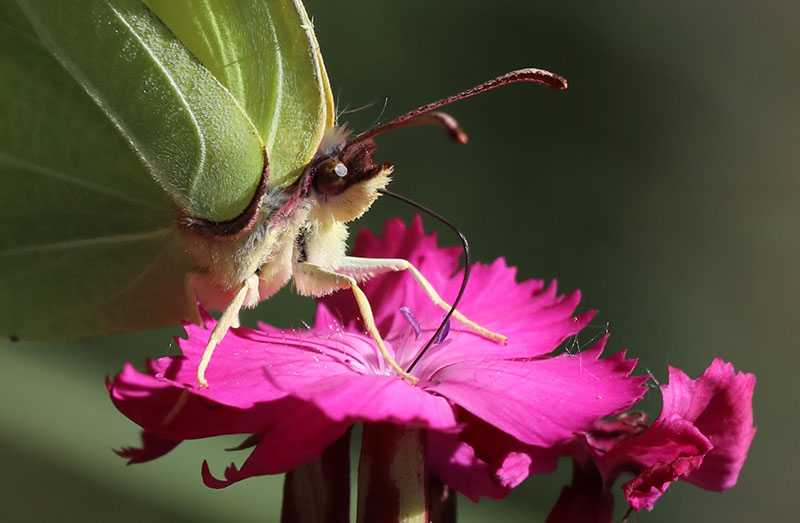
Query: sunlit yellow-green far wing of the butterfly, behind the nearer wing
x=266, y=54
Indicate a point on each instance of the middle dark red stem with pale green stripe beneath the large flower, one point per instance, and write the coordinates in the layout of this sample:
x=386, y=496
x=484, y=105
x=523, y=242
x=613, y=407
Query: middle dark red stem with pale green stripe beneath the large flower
x=392, y=475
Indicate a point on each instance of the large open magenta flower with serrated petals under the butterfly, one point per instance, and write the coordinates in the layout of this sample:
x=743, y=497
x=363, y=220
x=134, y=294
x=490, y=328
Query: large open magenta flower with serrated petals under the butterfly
x=494, y=413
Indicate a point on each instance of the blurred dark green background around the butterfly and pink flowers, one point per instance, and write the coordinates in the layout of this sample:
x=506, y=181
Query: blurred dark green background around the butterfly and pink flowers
x=663, y=184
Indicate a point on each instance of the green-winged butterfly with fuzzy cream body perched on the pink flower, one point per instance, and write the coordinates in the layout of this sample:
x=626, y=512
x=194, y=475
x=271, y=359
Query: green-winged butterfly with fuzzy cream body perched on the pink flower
x=157, y=156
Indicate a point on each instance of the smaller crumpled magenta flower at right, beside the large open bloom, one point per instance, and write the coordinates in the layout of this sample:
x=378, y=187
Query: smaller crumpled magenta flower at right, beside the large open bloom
x=702, y=436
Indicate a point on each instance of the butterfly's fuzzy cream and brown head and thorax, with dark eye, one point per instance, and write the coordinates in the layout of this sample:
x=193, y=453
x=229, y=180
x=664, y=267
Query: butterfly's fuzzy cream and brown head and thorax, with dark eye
x=302, y=223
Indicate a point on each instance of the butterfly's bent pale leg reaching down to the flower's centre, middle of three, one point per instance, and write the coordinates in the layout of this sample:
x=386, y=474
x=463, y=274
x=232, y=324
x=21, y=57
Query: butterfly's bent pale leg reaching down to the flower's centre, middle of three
x=315, y=281
